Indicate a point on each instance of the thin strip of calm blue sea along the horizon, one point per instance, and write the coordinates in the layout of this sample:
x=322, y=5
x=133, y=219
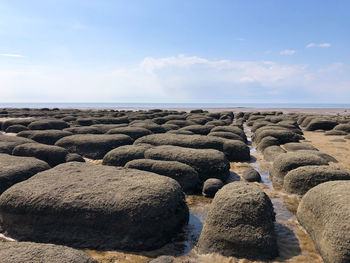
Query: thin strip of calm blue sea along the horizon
x=170, y=105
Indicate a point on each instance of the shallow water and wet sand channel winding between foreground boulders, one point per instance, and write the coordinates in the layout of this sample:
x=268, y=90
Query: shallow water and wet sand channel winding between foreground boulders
x=295, y=245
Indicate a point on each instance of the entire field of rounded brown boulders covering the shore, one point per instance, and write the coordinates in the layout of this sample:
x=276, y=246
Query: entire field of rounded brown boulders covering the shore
x=135, y=200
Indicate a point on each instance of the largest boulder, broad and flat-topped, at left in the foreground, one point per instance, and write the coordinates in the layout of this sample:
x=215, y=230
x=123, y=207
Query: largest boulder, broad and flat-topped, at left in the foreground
x=95, y=207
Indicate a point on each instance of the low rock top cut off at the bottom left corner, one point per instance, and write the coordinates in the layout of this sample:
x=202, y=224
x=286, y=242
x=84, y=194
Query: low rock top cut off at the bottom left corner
x=19, y=252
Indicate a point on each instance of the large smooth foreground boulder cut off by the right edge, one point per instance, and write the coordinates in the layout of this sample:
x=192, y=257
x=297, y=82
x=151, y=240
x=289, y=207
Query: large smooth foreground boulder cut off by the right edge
x=324, y=212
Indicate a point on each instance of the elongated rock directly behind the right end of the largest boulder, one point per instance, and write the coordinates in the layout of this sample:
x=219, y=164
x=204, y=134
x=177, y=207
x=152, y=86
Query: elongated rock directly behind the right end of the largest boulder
x=184, y=174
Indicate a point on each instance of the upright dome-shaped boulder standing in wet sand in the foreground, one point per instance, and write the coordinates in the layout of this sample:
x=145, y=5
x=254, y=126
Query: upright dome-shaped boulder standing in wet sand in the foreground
x=240, y=223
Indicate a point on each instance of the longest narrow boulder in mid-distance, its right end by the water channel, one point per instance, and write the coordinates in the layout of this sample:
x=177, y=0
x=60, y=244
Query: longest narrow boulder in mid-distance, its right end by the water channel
x=234, y=150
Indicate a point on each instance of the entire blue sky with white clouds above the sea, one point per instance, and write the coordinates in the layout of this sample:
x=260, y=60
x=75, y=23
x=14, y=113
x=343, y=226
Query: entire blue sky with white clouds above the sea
x=181, y=51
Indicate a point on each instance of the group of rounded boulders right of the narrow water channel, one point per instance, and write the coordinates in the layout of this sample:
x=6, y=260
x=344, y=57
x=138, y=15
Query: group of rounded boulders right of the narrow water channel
x=301, y=169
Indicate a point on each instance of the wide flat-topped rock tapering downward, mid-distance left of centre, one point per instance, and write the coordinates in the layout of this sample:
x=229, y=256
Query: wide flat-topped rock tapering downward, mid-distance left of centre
x=93, y=146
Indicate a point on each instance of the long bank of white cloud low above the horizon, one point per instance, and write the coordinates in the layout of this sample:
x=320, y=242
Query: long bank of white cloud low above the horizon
x=178, y=79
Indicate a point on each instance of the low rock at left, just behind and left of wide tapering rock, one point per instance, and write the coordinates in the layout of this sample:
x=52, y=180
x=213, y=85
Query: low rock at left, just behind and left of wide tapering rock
x=45, y=136
